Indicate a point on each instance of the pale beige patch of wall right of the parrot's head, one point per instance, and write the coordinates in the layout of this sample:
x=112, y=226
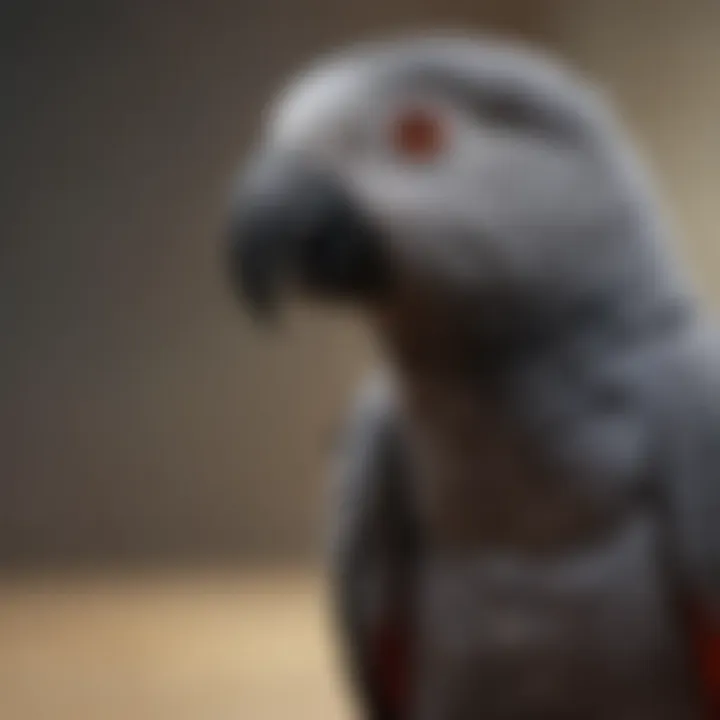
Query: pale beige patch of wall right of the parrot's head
x=659, y=60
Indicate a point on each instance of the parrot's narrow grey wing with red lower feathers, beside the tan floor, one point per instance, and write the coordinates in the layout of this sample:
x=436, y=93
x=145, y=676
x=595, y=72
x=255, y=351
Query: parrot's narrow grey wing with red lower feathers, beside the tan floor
x=374, y=546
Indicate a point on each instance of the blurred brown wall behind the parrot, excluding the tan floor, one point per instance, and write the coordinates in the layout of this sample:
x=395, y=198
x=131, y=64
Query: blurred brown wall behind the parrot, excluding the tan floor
x=141, y=414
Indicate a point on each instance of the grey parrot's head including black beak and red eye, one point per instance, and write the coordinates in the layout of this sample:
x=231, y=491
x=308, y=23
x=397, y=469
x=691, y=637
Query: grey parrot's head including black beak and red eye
x=447, y=186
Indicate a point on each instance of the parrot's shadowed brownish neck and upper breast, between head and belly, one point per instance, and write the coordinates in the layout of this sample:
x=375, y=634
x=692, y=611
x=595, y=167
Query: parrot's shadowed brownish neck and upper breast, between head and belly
x=497, y=435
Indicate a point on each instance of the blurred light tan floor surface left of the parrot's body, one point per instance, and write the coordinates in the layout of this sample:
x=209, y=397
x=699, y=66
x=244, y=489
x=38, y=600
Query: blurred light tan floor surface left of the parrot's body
x=256, y=647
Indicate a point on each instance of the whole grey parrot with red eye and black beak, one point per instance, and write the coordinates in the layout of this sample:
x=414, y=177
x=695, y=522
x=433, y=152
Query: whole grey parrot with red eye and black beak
x=526, y=521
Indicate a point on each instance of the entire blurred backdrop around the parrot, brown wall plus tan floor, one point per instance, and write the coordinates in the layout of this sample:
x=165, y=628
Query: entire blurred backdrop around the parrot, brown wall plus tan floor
x=143, y=418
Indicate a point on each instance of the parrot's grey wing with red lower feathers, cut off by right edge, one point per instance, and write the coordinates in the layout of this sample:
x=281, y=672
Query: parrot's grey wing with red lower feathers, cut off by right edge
x=691, y=494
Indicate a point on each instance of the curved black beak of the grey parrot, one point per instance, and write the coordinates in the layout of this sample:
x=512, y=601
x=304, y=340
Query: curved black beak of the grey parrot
x=297, y=226
